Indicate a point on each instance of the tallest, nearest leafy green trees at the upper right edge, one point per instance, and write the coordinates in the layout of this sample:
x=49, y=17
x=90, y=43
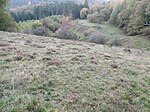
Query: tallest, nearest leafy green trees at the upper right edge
x=132, y=16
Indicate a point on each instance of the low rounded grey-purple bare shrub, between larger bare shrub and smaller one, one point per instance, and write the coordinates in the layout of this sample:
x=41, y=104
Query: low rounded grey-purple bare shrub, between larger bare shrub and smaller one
x=97, y=38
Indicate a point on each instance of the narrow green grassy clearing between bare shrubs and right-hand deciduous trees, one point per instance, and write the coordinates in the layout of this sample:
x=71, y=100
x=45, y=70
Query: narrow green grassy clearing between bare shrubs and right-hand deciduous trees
x=113, y=32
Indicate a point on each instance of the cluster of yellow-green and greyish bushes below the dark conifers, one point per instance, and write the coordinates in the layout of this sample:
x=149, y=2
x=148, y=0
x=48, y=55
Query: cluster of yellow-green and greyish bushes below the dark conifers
x=43, y=27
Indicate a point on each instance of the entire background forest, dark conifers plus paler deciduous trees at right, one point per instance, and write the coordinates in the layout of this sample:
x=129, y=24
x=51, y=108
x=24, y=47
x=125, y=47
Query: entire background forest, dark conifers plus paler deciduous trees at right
x=132, y=16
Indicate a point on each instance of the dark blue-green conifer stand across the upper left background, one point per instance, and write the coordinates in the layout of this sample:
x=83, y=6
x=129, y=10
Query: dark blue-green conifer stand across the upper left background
x=44, y=10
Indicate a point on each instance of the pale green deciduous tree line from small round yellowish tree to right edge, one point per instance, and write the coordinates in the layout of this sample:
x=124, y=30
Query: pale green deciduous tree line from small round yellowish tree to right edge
x=132, y=16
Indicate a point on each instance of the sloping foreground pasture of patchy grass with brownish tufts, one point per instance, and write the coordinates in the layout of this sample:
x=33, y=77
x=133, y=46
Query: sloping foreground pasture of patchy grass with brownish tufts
x=43, y=74
